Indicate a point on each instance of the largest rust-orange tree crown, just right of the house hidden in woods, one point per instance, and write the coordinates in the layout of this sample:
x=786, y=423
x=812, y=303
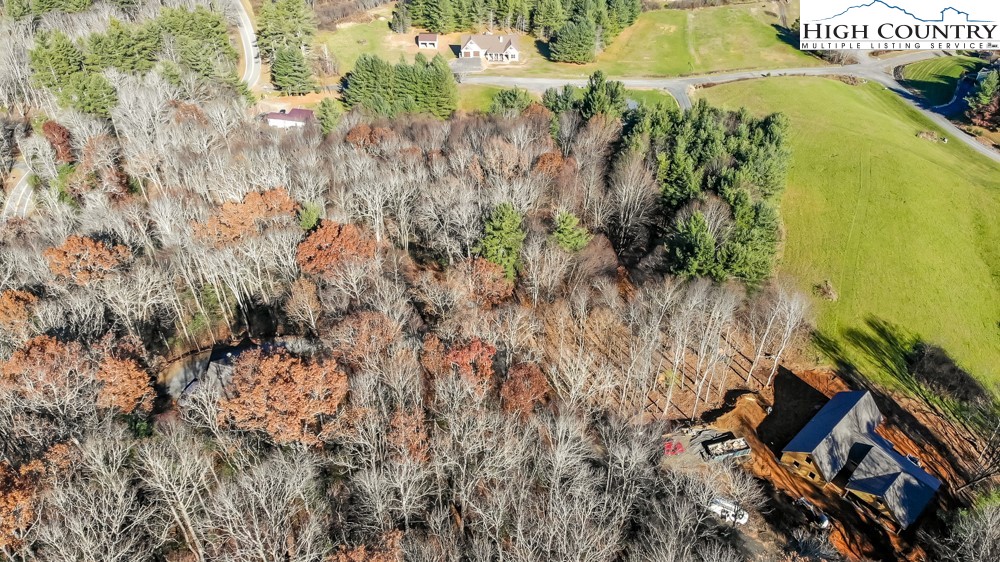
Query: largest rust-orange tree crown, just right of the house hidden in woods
x=283, y=395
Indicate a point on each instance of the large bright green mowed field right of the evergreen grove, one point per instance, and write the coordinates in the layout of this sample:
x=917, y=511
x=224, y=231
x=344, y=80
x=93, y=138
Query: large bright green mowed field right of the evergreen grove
x=906, y=229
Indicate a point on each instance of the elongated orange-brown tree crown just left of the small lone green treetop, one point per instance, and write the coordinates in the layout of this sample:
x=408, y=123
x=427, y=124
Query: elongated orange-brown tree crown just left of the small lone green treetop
x=234, y=222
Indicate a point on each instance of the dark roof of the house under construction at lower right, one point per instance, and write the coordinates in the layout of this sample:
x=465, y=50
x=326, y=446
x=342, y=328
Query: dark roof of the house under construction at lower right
x=844, y=431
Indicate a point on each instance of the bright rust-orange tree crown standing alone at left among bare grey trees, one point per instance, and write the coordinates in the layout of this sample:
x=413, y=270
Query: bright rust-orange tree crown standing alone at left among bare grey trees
x=83, y=260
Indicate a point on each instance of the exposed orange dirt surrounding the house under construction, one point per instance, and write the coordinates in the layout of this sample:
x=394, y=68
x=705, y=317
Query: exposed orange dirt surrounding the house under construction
x=945, y=448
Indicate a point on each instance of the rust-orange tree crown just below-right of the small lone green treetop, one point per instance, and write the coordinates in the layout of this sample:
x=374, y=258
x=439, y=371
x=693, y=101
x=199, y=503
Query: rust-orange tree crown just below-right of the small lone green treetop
x=331, y=245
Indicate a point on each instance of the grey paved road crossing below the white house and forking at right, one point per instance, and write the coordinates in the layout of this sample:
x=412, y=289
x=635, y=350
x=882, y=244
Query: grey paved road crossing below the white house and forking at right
x=872, y=69
